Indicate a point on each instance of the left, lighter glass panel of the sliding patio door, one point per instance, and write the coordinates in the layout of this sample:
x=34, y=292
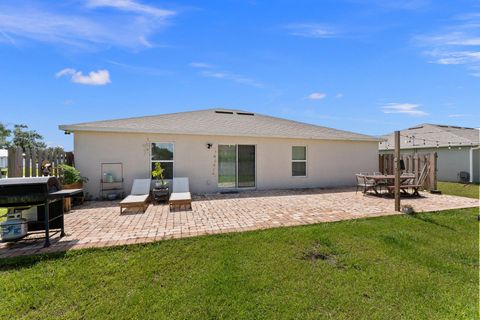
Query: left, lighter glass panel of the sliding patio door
x=227, y=166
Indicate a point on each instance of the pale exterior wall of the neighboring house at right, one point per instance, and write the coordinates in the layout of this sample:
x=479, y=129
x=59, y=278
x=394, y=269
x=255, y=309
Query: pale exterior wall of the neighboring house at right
x=449, y=162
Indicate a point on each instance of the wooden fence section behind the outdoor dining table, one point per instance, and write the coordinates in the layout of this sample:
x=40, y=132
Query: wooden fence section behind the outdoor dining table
x=423, y=166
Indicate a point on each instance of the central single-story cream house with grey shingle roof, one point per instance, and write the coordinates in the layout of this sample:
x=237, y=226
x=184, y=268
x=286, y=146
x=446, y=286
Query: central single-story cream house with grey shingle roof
x=223, y=150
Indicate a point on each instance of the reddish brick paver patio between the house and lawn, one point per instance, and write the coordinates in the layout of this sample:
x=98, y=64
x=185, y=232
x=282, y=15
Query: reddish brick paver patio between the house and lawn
x=99, y=224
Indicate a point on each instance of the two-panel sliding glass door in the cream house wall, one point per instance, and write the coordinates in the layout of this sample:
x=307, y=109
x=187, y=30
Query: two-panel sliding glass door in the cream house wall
x=236, y=166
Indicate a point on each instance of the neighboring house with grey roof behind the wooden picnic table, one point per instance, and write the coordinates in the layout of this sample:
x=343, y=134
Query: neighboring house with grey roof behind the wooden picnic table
x=457, y=148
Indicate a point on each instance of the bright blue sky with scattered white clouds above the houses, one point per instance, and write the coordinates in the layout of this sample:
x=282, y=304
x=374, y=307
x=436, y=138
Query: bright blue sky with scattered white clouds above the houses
x=370, y=66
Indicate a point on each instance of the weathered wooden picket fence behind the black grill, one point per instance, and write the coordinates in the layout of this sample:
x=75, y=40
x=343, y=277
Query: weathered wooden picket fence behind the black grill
x=30, y=162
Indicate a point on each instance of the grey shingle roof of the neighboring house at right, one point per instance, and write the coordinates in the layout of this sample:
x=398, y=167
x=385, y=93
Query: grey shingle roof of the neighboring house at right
x=433, y=135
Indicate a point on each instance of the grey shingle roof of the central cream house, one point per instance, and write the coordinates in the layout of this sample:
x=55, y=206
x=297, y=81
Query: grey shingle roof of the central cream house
x=225, y=122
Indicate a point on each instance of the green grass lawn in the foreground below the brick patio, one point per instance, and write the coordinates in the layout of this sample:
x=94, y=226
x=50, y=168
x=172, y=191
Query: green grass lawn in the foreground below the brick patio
x=411, y=267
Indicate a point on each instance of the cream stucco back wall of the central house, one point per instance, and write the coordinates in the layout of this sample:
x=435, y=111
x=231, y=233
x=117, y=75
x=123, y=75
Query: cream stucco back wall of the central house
x=329, y=163
